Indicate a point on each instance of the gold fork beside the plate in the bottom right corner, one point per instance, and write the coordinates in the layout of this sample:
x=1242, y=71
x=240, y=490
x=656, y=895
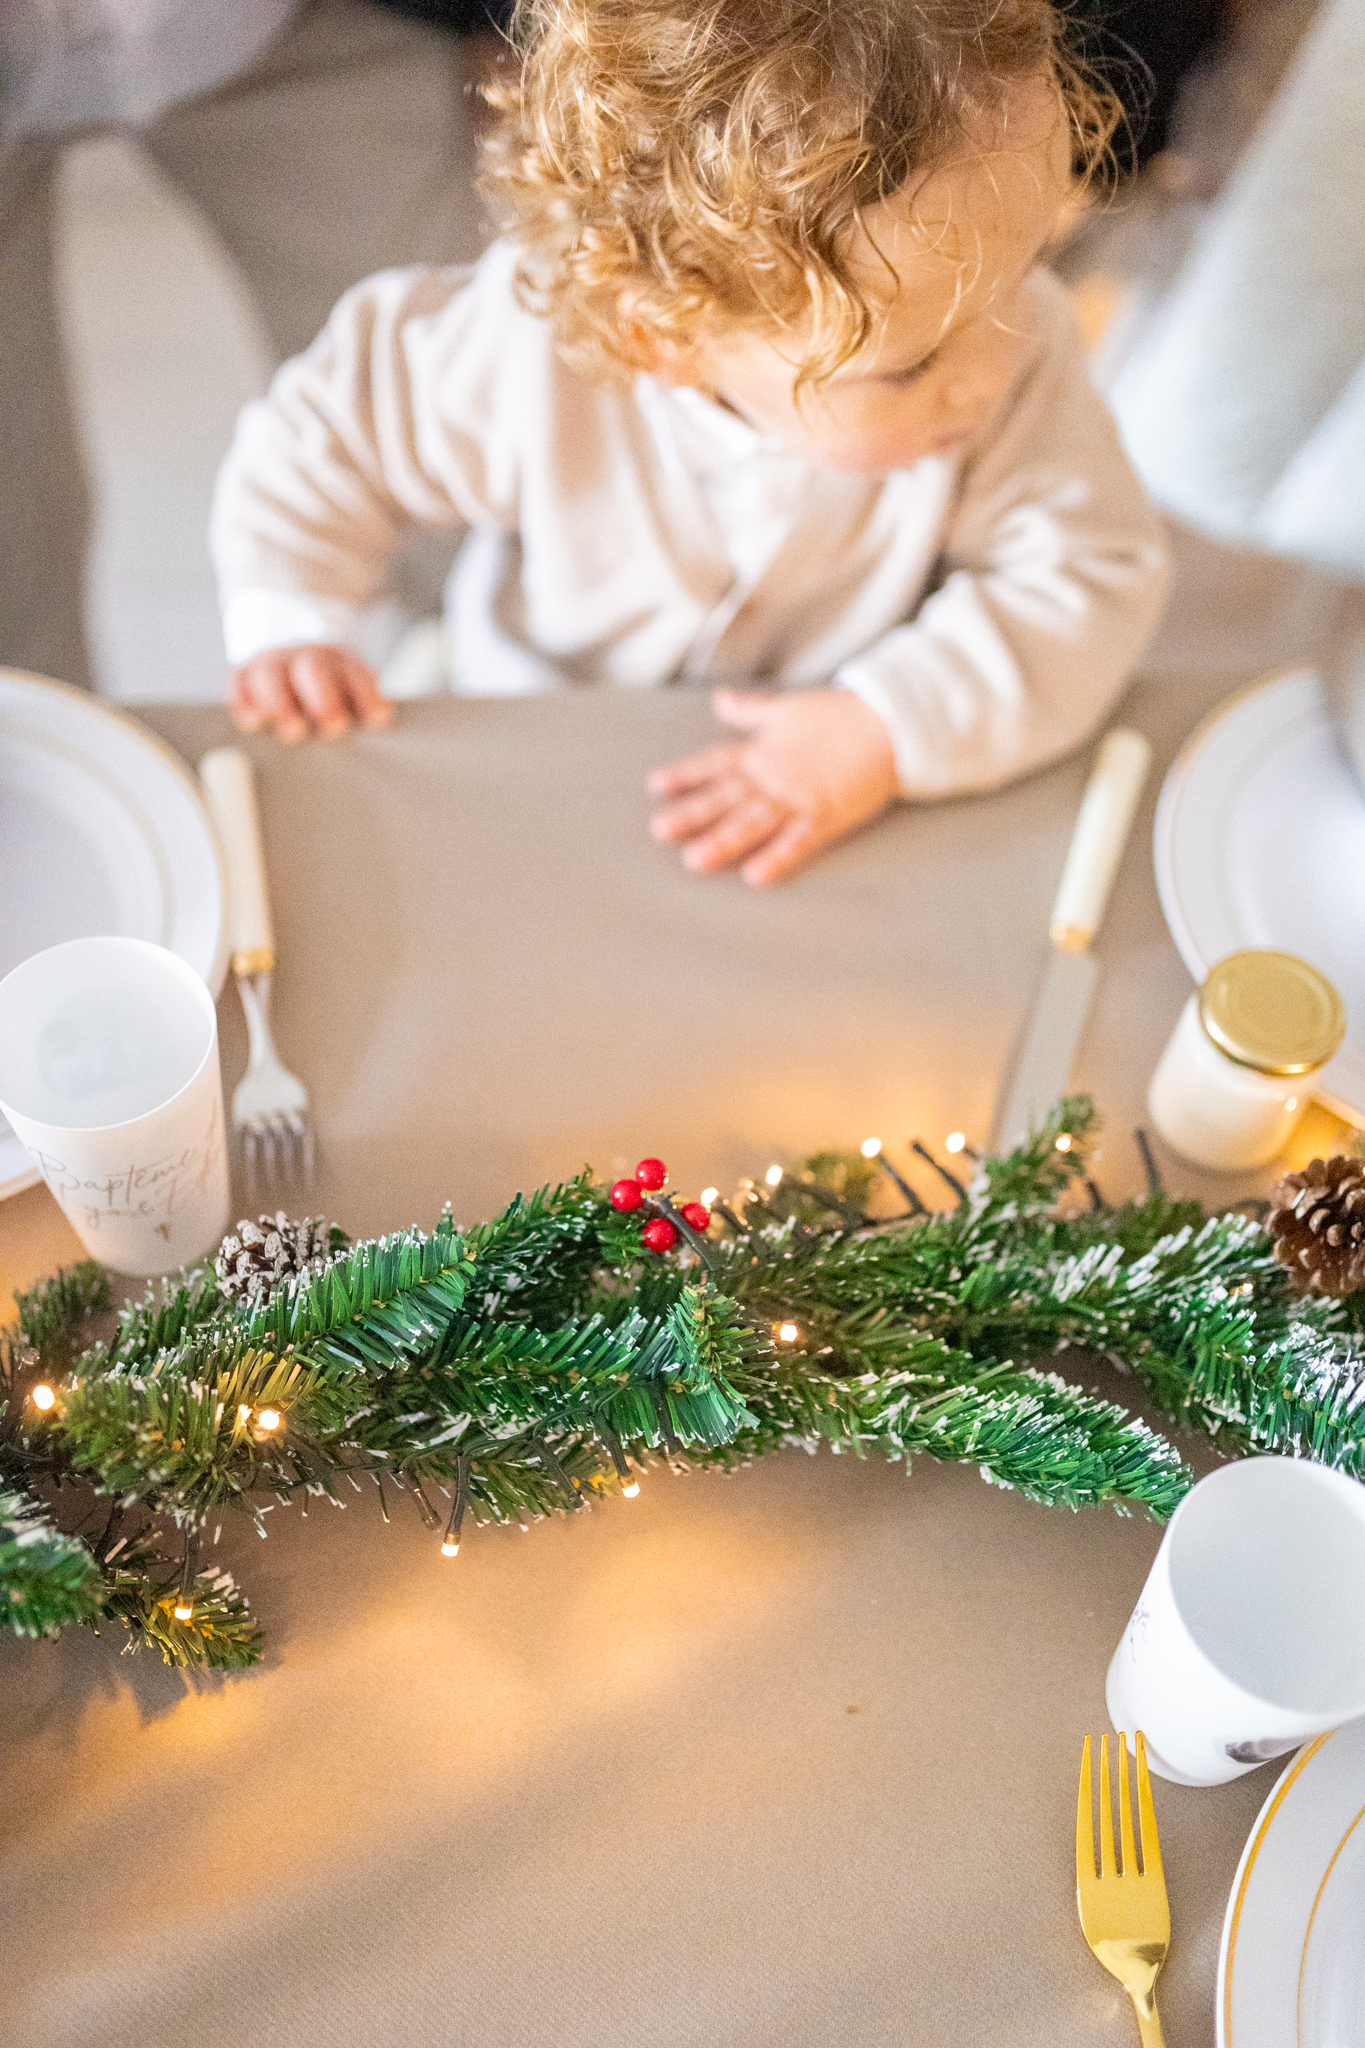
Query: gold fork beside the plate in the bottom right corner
x=1125, y=1914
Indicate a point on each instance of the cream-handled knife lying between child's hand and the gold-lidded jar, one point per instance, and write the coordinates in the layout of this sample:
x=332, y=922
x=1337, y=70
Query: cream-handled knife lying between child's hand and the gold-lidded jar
x=1069, y=980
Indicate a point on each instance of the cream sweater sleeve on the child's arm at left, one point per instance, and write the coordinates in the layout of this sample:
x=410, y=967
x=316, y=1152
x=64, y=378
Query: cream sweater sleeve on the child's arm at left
x=378, y=427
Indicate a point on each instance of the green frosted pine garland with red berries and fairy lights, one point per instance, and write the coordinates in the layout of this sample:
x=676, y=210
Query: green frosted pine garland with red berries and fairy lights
x=537, y=1361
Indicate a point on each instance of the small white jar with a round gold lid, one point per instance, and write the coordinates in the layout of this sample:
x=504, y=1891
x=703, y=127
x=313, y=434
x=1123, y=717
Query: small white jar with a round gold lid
x=1235, y=1076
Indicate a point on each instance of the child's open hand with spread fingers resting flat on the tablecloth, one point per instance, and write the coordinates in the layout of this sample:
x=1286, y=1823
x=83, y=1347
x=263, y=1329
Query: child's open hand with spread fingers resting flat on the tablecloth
x=816, y=765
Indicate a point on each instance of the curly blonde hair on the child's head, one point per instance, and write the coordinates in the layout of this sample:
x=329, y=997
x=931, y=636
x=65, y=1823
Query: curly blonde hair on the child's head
x=680, y=167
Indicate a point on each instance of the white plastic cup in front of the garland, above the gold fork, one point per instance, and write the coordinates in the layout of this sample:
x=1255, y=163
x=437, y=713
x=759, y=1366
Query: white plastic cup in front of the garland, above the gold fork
x=1249, y=1635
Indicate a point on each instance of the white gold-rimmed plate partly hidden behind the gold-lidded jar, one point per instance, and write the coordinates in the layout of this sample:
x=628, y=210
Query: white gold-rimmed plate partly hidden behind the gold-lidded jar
x=1262, y=843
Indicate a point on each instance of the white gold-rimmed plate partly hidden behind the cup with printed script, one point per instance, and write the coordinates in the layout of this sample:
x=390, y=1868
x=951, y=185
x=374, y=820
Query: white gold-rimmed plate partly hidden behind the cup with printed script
x=101, y=833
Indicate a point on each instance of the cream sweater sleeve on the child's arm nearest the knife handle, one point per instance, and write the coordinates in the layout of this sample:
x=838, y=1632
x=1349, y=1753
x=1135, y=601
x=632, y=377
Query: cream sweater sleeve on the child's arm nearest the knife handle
x=1051, y=581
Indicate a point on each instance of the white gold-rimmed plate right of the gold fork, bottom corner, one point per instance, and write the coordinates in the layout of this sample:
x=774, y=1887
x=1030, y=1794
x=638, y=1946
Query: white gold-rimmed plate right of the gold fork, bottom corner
x=1292, y=1965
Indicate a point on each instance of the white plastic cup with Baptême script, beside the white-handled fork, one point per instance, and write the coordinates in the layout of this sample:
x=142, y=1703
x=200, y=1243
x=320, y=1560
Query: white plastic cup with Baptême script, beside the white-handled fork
x=109, y=1074
